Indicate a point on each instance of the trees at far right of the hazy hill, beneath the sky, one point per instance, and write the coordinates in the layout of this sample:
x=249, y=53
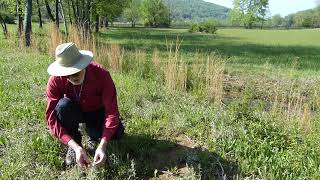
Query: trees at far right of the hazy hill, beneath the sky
x=256, y=13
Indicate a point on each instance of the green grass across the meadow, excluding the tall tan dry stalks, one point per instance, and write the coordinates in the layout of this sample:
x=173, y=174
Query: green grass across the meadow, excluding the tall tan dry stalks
x=170, y=131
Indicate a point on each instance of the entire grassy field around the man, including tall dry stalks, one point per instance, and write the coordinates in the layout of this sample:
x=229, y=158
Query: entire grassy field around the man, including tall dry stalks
x=239, y=104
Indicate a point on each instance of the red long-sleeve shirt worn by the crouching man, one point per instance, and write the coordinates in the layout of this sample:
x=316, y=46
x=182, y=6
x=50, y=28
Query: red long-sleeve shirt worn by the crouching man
x=98, y=92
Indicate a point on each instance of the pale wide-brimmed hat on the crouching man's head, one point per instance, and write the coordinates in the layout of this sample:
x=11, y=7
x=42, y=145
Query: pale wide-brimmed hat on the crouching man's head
x=69, y=60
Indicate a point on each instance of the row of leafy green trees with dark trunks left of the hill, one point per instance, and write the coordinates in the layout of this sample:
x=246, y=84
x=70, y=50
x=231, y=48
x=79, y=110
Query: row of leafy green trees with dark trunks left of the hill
x=89, y=15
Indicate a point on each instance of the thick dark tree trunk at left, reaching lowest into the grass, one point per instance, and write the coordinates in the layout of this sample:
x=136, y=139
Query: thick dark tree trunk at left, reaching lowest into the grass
x=27, y=18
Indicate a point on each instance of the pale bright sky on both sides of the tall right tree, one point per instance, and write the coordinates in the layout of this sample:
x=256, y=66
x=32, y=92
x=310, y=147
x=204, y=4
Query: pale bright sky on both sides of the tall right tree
x=283, y=7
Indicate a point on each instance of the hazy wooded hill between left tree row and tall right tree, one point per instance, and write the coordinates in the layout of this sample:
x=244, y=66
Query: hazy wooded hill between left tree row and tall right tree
x=196, y=10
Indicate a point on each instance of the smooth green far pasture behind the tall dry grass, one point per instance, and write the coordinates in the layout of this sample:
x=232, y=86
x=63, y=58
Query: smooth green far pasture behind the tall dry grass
x=245, y=50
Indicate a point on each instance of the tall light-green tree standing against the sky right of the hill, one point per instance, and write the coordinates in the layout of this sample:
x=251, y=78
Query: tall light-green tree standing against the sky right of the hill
x=247, y=12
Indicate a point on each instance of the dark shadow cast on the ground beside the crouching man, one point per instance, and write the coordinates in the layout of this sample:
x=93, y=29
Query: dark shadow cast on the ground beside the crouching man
x=170, y=159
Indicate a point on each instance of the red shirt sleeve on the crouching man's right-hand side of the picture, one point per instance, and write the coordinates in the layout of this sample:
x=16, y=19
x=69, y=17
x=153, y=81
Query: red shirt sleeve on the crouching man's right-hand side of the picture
x=109, y=98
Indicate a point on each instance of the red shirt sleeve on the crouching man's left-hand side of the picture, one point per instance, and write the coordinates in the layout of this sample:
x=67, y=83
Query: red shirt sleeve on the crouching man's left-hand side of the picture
x=54, y=94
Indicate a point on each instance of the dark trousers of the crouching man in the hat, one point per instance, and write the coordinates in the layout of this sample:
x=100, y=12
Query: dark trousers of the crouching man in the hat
x=69, y=115
